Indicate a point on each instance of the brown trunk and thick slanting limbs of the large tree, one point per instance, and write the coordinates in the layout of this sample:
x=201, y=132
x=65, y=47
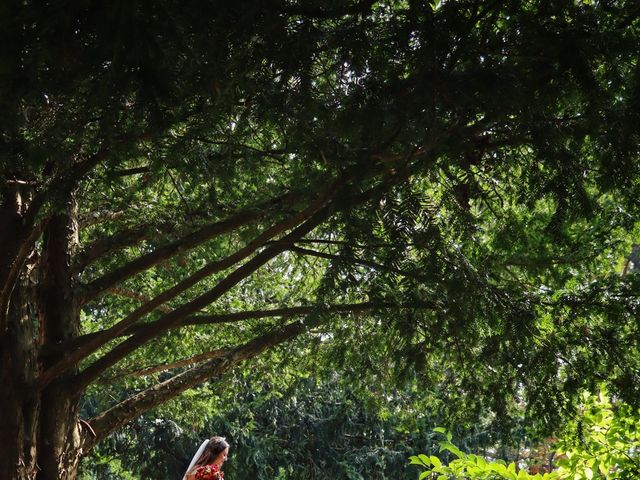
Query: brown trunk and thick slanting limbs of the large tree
x=42, y=435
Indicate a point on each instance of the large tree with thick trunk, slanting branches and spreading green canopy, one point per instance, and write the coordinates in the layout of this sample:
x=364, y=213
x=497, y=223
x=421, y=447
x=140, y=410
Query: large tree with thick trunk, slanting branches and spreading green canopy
x=443, y=184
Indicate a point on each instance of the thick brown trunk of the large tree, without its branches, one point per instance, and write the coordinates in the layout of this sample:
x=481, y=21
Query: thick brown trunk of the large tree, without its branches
x=39, y=430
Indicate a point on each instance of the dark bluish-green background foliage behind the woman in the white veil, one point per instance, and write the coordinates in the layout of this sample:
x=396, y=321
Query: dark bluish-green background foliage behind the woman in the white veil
x=309, y=430
